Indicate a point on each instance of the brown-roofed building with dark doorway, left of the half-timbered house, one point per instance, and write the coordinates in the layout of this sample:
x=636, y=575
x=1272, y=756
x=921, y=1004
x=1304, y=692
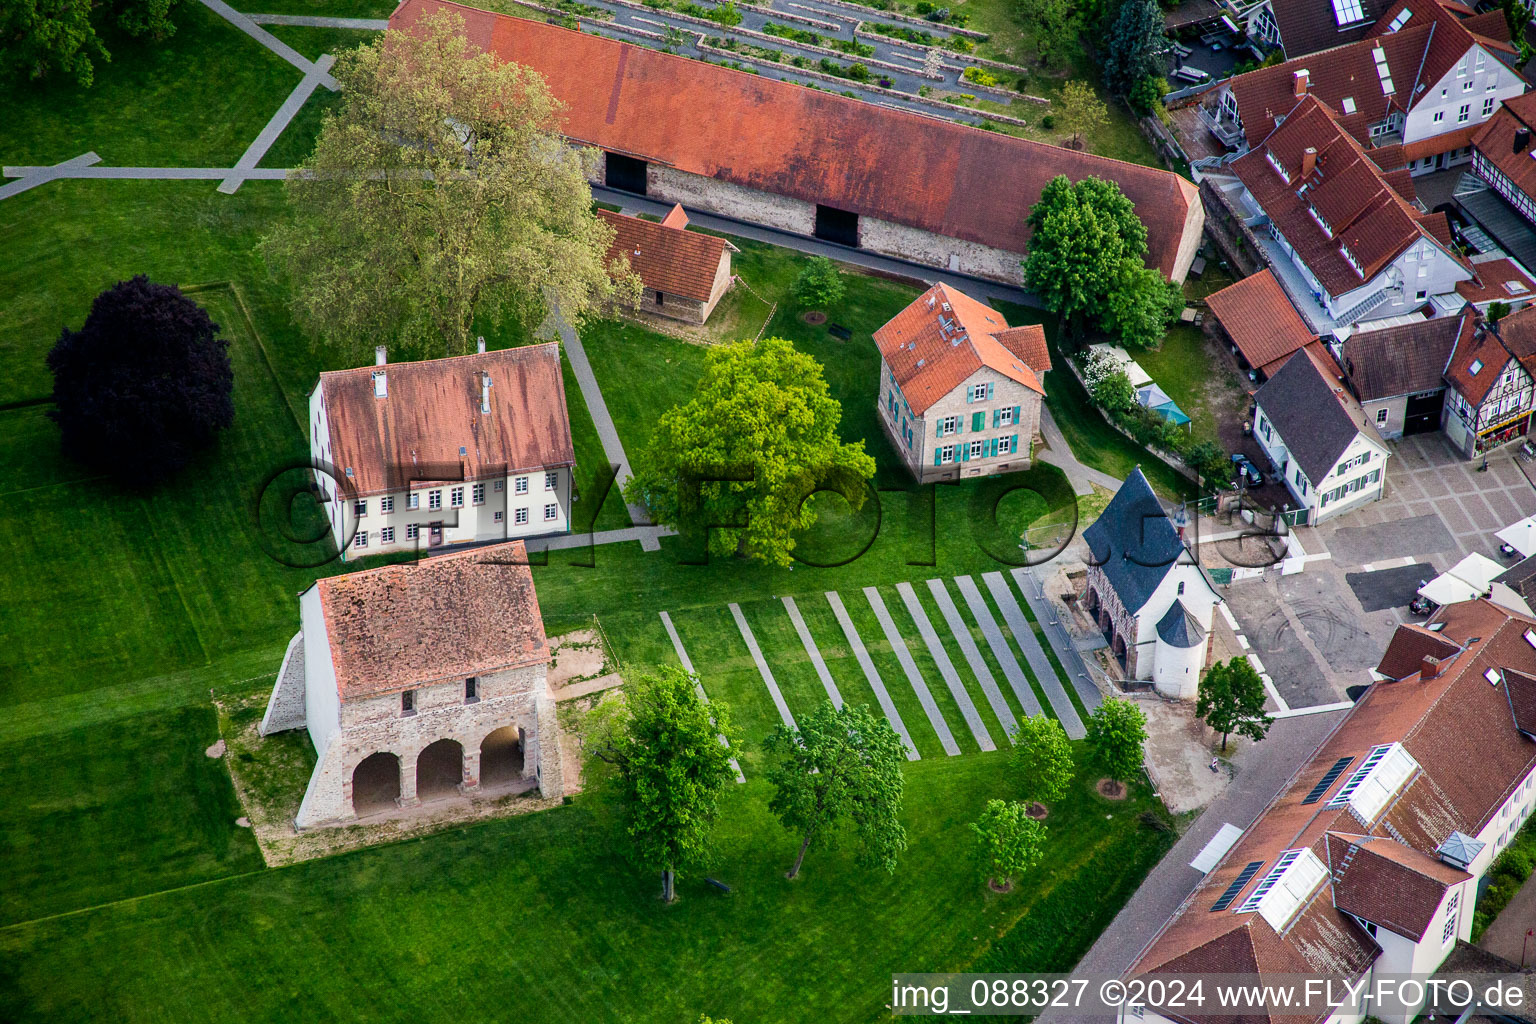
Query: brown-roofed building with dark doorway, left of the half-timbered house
x=1399, y=374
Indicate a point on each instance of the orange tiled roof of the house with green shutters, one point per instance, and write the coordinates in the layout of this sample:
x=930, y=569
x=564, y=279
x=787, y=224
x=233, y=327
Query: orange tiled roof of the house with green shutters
x=945, y=335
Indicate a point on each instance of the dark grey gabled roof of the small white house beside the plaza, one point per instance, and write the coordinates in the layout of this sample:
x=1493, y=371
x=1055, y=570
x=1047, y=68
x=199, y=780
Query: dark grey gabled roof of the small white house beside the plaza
x=1313, y=418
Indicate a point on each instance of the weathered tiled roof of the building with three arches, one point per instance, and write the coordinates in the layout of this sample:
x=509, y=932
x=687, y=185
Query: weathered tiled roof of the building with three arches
x=445, y=618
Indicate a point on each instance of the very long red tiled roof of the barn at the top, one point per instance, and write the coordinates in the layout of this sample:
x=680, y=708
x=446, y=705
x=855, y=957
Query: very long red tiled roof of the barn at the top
x=810, y=145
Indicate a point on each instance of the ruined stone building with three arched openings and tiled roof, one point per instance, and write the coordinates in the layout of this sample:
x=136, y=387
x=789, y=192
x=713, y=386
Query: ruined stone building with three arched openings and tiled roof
x=420, y=681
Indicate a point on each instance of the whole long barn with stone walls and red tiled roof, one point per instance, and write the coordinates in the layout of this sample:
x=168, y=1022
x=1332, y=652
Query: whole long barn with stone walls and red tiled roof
x=813, y=162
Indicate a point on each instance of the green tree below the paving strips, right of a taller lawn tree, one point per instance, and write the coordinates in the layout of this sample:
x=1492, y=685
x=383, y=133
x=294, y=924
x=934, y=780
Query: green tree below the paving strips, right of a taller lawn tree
x=841, y=770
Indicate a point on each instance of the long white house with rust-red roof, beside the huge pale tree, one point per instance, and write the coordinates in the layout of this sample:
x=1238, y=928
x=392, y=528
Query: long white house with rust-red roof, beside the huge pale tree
x=458, y=451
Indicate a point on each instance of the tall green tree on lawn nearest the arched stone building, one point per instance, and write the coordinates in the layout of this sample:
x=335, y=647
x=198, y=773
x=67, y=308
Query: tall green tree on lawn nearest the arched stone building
x=658, y=750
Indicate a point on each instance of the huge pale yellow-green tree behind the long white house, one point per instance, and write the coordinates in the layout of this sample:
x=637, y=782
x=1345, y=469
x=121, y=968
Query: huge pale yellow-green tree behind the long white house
x=442, y=194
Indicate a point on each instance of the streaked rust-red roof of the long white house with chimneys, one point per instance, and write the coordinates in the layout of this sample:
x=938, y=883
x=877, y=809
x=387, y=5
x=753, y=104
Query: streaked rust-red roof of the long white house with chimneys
x=428, y=424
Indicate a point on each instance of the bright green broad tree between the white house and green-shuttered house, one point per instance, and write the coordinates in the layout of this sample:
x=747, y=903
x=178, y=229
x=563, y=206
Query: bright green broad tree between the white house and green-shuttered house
x=743, y=457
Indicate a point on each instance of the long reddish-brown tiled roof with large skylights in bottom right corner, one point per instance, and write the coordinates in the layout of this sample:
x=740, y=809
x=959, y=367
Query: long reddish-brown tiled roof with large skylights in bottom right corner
x=1409, y=813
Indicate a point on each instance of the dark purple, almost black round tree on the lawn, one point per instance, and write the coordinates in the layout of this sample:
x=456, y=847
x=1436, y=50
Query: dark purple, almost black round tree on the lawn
x=144, y=386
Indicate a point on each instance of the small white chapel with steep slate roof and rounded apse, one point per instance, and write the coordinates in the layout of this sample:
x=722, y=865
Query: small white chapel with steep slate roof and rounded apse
x=1148, y=593
